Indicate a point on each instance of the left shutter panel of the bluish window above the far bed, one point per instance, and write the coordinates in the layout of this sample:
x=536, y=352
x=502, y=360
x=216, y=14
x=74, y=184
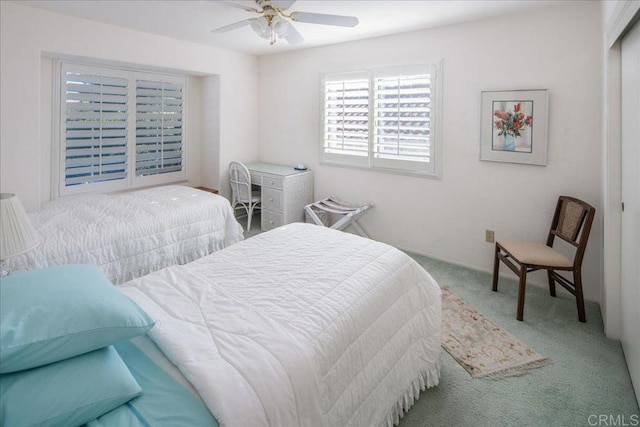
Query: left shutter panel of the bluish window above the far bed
x=96, y=112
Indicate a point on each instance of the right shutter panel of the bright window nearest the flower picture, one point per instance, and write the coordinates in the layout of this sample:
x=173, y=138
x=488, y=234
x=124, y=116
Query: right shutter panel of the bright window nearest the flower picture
x=402, y=124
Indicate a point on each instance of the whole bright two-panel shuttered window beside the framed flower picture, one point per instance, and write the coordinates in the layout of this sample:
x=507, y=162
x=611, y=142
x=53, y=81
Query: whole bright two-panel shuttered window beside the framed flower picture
x=382, y=119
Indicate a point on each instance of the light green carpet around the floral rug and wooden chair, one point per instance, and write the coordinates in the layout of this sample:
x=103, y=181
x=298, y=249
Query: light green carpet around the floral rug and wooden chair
x=587, y=375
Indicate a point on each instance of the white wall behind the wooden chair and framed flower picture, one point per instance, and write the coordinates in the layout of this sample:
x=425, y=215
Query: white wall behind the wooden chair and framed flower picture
x=557, y=48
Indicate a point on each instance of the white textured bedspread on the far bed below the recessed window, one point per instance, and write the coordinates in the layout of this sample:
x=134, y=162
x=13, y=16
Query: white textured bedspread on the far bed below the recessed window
x=131, y=234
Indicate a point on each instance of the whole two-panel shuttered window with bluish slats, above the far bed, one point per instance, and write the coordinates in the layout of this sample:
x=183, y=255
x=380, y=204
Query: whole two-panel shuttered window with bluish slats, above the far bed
x=119, y=129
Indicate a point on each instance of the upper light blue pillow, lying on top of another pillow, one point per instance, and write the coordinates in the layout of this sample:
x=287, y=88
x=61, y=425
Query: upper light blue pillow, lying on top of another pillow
x=54, y=313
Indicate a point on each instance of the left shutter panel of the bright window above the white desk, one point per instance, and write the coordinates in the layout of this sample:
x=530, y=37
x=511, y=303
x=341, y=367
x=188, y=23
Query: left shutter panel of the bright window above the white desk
x=346, y=116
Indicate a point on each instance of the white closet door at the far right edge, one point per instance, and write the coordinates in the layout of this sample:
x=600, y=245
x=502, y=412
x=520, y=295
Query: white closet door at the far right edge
x=630, y=262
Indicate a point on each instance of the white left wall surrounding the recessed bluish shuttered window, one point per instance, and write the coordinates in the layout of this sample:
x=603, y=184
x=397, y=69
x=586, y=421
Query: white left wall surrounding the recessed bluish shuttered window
x=225, y=119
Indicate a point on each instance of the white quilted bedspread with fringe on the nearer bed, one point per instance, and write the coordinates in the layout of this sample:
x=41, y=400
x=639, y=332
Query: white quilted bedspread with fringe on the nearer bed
x=299, y=326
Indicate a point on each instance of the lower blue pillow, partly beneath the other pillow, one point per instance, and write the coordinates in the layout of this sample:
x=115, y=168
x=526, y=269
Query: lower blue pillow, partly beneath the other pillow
x=67, y=393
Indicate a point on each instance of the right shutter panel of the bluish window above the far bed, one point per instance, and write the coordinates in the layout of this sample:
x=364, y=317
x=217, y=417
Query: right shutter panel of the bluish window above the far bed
x=159, y=127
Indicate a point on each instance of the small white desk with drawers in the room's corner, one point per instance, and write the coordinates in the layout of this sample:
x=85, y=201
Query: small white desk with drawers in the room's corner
x=284, y=191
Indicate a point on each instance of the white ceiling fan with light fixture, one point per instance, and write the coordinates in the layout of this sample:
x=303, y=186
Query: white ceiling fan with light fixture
x=274, y=20
